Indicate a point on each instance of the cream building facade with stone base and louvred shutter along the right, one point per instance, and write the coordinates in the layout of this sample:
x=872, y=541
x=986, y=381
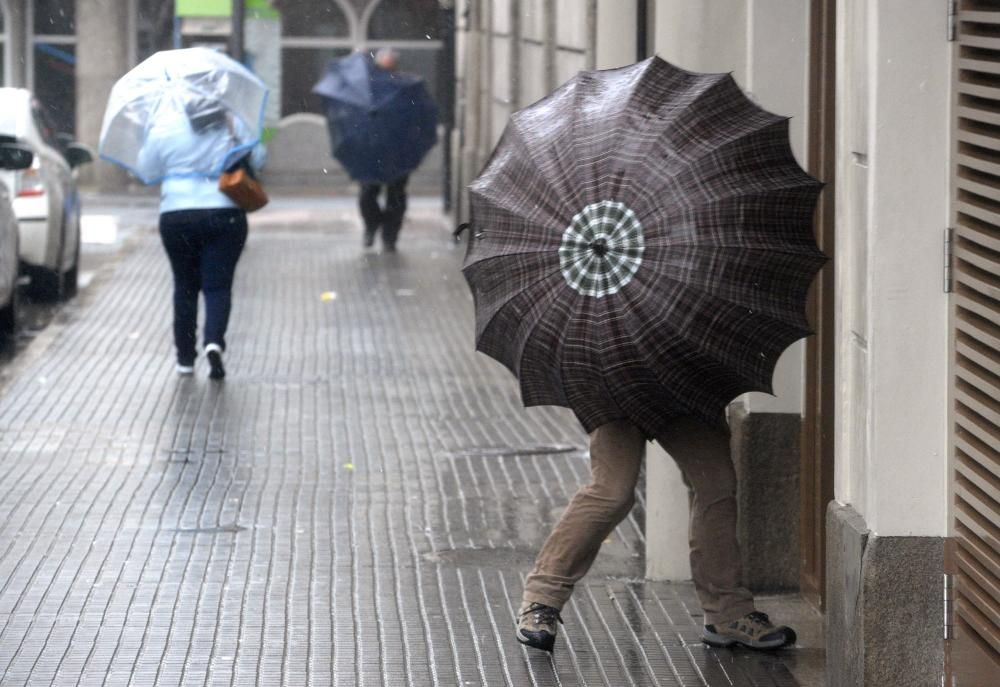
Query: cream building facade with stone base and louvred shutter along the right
x=879, y=451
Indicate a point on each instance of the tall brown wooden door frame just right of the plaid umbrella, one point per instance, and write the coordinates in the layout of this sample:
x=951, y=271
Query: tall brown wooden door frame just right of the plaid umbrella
x=817, y=448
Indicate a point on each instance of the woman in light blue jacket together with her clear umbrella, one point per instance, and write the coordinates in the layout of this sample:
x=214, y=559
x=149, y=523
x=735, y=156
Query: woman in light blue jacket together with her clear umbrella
x=180, y=119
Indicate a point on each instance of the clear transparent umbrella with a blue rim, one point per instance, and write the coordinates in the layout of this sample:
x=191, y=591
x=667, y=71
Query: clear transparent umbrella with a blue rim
x=209, y=108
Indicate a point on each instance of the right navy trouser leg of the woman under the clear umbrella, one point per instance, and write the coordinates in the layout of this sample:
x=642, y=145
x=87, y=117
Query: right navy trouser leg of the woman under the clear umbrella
x=225, y=236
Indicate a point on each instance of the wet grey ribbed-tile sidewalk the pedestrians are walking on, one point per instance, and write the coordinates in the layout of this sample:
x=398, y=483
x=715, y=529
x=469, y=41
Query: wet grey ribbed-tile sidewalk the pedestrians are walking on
x=356, y=505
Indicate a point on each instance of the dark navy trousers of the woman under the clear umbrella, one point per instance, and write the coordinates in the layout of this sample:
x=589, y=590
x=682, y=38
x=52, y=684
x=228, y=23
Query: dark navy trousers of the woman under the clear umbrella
x=204, y=247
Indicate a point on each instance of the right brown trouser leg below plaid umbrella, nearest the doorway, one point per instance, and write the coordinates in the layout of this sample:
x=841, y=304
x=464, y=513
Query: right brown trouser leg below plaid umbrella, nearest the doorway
x=703, y=456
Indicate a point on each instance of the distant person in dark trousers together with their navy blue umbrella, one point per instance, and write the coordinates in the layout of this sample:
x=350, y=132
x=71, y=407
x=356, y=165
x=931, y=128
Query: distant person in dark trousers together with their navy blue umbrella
x=382, y=123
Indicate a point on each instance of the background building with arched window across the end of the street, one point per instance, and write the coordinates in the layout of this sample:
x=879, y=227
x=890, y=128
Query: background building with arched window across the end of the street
x=70, y=52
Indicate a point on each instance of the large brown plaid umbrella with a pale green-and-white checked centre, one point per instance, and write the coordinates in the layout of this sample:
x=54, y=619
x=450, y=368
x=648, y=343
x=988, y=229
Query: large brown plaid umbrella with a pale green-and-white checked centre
x=642, y=246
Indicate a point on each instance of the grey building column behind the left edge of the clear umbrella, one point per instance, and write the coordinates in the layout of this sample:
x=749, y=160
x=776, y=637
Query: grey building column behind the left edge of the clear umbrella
x=102, y=57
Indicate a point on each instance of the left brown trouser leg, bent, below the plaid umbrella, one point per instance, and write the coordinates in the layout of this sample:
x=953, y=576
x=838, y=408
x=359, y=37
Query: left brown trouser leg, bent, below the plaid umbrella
x=616, y=452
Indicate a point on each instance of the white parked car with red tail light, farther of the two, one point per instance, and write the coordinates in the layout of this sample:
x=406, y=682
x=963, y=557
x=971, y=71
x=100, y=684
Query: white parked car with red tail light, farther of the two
x=46, y=201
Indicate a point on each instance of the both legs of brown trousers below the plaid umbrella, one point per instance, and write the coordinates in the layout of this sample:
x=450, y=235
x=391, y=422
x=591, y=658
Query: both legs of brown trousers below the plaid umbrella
x=616, y=452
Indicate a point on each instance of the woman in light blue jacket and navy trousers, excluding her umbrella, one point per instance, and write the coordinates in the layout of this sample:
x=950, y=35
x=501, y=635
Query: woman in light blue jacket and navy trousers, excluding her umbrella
x=203, y=231
